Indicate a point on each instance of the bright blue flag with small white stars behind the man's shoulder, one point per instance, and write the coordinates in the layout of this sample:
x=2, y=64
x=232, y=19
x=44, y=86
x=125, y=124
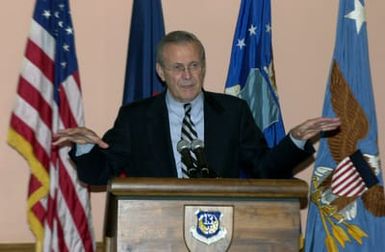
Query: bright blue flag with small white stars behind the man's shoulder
x=251, y=72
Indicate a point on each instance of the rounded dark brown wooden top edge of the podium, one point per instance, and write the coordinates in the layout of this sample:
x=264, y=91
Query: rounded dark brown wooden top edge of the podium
x=243, y=188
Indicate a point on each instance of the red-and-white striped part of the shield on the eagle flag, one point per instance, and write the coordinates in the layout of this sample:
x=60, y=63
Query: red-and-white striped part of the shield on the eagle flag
x=346, y=180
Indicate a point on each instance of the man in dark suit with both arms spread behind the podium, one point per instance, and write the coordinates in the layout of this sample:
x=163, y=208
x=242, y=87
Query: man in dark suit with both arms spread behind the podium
x=143, y=141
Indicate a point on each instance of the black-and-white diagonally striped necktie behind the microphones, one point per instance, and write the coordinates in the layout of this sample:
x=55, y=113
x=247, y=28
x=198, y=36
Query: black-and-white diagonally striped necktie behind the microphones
x=188, y=134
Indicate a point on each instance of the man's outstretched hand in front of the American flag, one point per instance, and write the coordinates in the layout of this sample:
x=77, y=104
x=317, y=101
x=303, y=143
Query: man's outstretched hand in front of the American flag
x=80, y=135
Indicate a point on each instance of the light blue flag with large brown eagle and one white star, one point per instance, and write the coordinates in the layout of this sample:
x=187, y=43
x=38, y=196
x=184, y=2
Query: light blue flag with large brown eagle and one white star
x=347, y=205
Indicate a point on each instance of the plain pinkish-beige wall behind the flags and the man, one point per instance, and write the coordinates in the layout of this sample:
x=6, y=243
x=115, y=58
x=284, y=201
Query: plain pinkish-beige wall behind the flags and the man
x=303, y=35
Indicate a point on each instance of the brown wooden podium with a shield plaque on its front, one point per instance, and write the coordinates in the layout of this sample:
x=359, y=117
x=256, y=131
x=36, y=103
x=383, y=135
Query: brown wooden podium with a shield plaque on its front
x=155, y=214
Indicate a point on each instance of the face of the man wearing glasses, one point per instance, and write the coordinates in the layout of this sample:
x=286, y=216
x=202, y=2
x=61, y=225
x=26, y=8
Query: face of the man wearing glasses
x=182, y=70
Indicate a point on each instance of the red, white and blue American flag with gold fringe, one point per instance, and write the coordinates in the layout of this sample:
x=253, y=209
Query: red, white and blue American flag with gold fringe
x=49, y=99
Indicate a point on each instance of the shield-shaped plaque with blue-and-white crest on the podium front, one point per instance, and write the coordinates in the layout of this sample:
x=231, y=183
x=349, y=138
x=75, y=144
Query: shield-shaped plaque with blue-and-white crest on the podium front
x=208, y=226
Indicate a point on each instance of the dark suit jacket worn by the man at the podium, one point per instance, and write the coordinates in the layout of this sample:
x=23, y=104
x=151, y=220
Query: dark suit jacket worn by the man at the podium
x=140, y=144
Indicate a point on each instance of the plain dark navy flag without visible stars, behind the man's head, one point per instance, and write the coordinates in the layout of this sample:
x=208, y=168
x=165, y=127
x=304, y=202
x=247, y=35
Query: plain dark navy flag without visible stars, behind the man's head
x=147, y=28
